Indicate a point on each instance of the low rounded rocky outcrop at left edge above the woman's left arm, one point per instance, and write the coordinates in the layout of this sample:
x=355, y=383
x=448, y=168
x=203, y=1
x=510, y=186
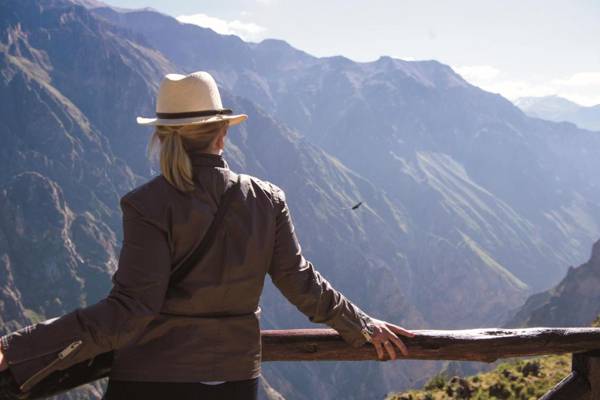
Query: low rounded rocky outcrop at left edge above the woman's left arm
x=52, y=258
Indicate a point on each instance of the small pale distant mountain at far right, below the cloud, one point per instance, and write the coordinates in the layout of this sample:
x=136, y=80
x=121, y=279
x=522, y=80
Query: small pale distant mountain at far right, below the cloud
x=555, y=108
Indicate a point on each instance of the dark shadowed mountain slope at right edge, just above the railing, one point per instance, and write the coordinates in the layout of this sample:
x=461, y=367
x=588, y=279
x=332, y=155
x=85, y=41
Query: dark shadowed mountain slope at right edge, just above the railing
x=575, y=301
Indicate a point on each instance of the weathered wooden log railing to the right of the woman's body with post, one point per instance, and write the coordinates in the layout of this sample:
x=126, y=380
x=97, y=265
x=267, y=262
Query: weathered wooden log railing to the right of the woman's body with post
x=486, y=345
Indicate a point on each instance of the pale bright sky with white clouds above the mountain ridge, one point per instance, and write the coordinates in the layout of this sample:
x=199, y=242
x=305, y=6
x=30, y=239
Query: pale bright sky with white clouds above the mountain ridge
x=513, y=47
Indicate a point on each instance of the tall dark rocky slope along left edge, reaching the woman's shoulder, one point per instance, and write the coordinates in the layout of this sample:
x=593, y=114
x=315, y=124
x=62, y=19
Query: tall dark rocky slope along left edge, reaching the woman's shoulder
x=50, y=147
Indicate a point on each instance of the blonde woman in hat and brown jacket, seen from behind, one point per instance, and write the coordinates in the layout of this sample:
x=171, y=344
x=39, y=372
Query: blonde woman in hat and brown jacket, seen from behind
x=197, y=337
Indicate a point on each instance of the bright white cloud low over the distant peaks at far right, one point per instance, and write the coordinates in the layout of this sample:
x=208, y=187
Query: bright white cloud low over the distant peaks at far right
x=581, y=87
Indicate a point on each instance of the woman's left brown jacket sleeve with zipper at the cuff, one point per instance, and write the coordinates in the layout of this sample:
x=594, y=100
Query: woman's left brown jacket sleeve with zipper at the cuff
x=139, y=288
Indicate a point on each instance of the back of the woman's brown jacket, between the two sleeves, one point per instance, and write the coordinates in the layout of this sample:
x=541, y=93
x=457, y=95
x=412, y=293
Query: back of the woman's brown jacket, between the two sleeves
x=208, y=325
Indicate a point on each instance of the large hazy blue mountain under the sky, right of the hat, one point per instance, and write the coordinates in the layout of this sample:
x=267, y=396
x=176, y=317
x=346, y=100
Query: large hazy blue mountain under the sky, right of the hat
x=453, y=156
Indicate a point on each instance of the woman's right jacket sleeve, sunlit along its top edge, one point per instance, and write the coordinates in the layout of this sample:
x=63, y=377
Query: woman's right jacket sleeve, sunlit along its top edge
x=305, y=287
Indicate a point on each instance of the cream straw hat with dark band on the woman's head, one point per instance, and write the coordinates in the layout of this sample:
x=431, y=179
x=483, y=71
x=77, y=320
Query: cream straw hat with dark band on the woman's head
x=190, y=99
